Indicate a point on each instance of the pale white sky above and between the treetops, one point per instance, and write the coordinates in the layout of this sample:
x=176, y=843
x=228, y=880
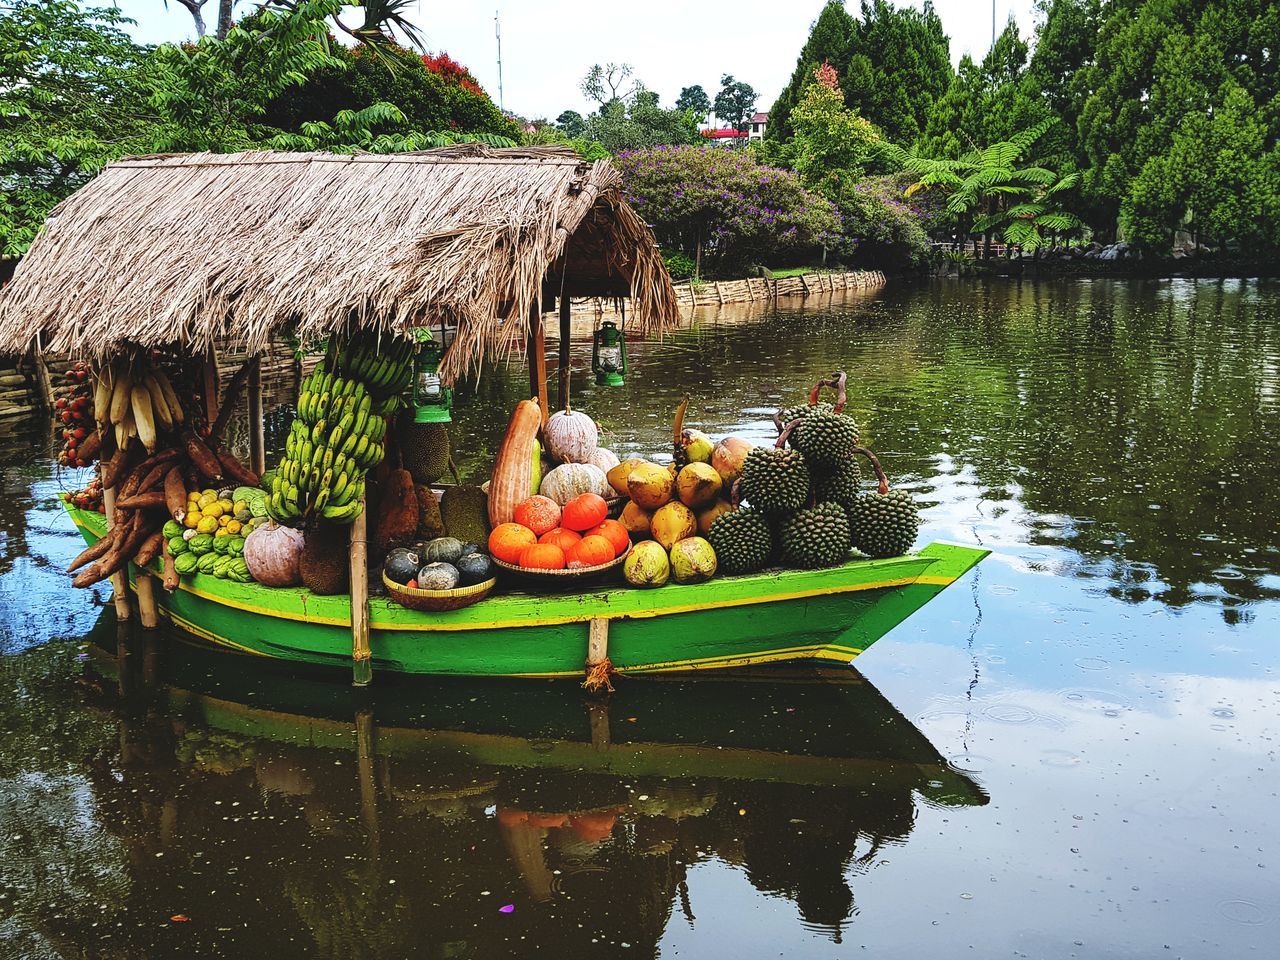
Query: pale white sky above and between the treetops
x=548, y=45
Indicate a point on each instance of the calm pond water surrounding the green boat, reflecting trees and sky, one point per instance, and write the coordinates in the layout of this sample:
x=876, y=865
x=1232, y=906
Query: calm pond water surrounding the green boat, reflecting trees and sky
x=1071, y=753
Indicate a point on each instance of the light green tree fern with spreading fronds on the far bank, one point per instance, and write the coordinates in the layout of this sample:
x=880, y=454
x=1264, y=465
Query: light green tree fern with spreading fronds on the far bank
x=990, y=191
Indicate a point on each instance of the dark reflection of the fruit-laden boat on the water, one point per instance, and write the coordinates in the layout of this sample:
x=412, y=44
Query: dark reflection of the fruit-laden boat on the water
x=404, y=830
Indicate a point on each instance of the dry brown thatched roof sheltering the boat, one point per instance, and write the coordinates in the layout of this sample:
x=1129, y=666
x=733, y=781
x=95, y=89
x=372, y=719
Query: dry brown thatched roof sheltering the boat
x=194, y=249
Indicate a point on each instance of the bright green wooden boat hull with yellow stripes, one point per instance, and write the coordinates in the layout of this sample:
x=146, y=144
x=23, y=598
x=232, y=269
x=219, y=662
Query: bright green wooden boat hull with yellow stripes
x=734, y=621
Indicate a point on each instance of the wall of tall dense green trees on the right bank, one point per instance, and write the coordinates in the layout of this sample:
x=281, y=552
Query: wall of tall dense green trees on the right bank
x=1171, y=116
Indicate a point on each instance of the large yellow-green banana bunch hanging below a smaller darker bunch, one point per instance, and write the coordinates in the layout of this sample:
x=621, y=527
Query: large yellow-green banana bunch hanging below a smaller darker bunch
x=336, y=438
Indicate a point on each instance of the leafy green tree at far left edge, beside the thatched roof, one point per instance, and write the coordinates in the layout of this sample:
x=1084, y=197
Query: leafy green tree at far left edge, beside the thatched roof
x=71, y=102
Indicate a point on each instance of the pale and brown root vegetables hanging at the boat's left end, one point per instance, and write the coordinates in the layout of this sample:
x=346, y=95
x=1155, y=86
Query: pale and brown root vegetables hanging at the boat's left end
x=152, y=452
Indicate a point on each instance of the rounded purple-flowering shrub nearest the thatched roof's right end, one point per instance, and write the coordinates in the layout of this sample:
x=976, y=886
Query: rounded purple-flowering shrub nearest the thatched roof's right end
x=738, y=211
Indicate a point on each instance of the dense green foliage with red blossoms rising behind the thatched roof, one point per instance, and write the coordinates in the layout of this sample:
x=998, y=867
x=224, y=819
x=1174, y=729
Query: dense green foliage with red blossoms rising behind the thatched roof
x=76, y=93
